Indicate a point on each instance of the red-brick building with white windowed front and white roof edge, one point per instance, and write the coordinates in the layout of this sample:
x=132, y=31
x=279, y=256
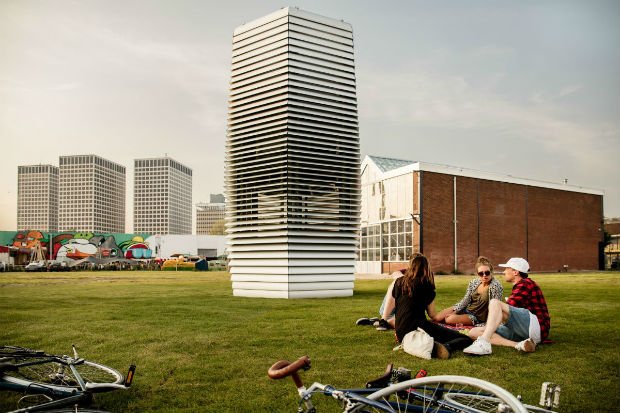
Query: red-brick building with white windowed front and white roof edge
x=453, y=215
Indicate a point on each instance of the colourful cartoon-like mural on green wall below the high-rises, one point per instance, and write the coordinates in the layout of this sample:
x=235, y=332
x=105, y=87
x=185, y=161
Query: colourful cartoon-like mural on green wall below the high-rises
x=78, y=245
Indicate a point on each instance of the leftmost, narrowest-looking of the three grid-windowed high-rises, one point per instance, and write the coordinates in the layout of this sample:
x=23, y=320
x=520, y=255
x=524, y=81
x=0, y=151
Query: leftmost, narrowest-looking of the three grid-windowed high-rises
x=37, y=198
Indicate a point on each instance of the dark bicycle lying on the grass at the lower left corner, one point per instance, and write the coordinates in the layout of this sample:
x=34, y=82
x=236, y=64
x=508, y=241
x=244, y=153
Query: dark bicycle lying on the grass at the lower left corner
x=54, y=382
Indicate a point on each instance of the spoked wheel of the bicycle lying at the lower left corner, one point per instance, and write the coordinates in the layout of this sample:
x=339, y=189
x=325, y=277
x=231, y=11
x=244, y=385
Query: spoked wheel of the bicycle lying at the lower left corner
x=39, y=368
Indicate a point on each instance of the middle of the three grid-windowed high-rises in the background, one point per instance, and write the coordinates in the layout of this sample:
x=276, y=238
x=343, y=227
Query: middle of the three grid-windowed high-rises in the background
x=91, y=195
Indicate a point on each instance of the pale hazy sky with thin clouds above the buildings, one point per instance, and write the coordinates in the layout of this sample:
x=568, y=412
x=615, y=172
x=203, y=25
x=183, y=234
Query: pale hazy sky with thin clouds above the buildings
x=526, y=88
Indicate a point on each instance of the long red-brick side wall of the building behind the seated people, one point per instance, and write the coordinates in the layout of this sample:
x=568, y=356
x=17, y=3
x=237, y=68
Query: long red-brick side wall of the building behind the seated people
x=551, y=228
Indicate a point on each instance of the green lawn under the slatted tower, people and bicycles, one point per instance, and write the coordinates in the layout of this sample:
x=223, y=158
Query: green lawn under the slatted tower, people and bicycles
x=198, y=348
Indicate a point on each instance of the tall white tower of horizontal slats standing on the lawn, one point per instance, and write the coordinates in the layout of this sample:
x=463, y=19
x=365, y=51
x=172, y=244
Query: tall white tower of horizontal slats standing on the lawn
x=292, y=165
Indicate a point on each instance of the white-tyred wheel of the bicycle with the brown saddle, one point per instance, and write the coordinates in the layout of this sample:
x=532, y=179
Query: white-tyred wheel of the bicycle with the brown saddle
x=442, y=394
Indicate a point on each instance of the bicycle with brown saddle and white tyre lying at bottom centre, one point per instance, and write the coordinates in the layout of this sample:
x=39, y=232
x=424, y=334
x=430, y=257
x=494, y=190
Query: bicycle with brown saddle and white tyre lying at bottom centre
x=395, y=391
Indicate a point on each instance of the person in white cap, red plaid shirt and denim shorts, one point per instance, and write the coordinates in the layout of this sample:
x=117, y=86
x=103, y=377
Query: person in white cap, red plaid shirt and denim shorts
x=521, y=322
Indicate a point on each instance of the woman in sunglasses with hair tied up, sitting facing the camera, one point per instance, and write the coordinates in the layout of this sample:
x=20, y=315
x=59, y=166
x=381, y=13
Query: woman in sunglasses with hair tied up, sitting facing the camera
x=473, y=308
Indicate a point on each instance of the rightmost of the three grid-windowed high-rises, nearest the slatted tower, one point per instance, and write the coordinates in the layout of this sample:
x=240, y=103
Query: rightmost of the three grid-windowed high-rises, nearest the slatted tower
x=162, y=199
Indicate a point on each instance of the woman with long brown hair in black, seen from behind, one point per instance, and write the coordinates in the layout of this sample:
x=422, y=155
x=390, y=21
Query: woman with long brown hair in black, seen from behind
x=413, y=295
